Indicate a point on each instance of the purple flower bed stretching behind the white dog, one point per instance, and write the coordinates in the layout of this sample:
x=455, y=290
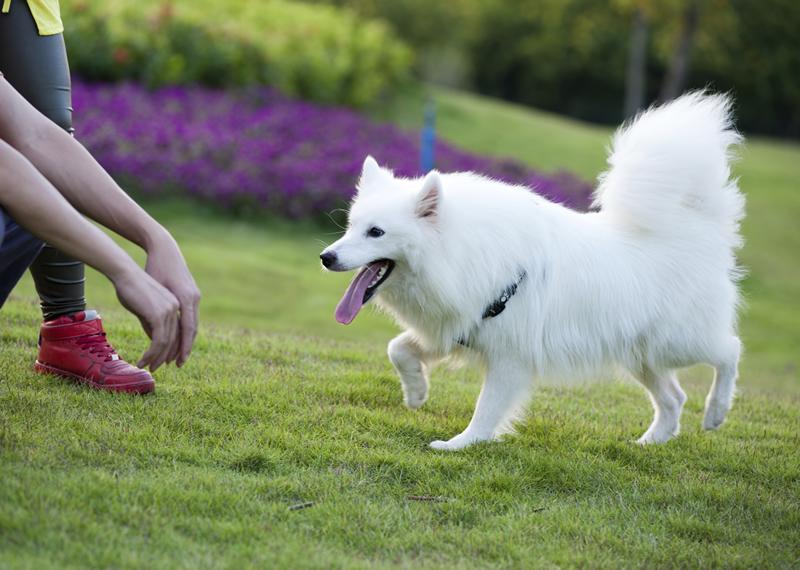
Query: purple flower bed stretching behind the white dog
x=263, y=150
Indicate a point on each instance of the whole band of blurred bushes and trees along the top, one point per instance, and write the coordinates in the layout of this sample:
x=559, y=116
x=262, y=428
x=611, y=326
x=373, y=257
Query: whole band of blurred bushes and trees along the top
x=590, y=59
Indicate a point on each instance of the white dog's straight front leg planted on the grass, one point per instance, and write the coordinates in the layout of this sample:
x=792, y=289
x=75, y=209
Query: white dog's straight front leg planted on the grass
x=504, y=394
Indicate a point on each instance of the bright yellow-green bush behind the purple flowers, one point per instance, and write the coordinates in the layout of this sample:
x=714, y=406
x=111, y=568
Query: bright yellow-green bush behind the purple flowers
x=320, y=53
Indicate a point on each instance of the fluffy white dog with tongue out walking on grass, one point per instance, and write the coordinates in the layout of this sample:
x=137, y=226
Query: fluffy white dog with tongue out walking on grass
x=536, y=290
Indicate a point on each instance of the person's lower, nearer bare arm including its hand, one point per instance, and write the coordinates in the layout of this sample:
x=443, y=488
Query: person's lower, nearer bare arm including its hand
x=34, y=204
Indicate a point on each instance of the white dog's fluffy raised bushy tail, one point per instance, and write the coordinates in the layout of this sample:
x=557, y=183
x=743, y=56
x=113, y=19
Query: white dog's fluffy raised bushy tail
x=671, y=164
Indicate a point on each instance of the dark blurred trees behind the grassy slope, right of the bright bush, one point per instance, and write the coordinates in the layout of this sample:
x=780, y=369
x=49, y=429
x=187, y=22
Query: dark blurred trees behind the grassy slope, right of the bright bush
x=586, y=57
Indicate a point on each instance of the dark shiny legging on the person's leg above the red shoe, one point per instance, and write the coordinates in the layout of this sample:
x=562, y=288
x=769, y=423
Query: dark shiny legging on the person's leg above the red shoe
x=37, y=67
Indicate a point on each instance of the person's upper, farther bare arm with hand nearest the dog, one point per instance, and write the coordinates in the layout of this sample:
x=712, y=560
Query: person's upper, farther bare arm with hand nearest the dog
x=84, y=183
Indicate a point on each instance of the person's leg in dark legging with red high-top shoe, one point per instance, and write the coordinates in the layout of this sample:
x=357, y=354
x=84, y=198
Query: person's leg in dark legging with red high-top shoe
x=73, y=343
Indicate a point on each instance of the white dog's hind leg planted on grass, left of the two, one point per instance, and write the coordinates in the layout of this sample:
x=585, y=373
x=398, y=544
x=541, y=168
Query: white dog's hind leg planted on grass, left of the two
x=668, y=399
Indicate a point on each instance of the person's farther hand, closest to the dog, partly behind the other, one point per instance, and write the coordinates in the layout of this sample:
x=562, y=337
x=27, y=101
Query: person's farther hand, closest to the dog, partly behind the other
x=166, y=265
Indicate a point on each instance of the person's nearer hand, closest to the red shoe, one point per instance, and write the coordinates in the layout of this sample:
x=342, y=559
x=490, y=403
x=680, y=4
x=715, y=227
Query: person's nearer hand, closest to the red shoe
x=157, y=310
